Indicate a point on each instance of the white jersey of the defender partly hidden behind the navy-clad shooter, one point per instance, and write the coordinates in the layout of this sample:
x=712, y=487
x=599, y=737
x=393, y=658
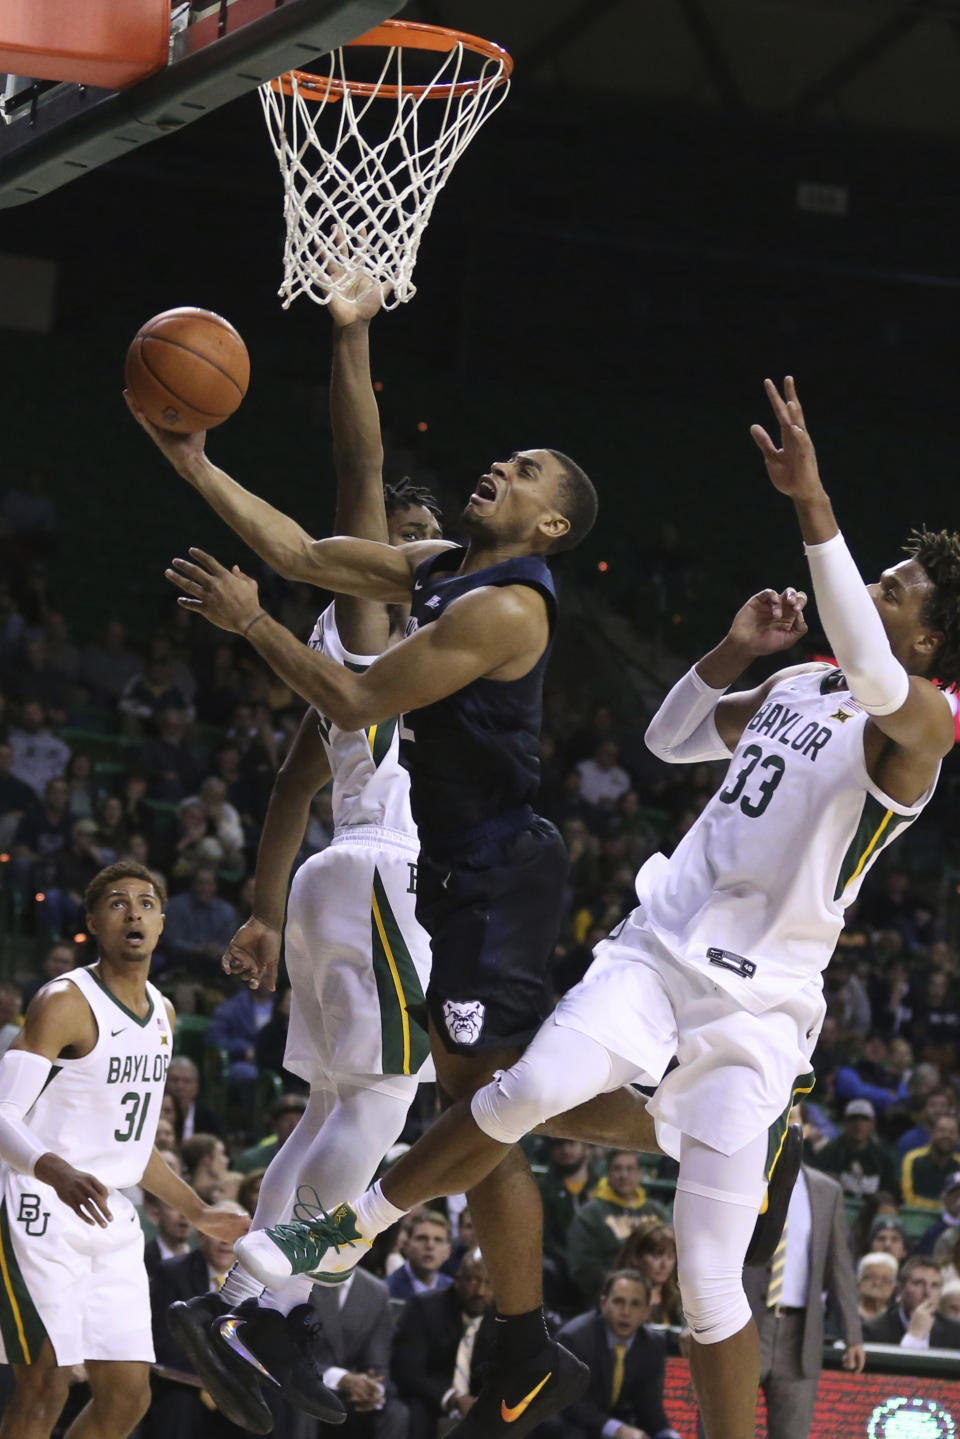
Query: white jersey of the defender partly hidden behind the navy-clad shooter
x=371, y=785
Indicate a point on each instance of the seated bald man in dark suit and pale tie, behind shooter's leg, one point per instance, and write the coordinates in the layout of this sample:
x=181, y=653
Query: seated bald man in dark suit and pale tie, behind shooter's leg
x=443, y=1343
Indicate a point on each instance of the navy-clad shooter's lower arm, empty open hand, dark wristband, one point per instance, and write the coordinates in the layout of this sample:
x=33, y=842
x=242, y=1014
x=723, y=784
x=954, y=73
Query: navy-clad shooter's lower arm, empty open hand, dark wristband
x=496, y=634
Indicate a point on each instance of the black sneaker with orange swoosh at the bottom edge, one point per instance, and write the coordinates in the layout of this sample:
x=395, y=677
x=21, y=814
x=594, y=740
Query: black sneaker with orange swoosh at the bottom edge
x=517, y=1398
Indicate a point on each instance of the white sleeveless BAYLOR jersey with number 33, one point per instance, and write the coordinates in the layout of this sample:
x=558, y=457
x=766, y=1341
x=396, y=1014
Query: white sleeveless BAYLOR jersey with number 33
x=756, y=890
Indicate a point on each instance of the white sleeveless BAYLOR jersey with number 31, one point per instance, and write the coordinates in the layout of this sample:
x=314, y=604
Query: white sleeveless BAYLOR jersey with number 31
x=100, y=1113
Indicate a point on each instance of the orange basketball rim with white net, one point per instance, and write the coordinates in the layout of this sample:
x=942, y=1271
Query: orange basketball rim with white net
x=361, y=196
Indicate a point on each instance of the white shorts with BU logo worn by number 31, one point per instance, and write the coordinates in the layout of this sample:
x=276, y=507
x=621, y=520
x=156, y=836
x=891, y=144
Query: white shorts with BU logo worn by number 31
x=80, y=1286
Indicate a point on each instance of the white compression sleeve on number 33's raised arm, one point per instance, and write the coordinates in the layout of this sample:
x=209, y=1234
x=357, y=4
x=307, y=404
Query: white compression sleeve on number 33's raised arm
x=856, y=631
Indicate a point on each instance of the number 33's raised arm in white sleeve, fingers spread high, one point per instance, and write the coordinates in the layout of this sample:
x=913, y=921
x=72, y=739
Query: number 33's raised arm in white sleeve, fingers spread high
x=907, y=709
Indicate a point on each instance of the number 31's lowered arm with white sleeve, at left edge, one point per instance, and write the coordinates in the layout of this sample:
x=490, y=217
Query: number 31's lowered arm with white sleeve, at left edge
x=57, y=1020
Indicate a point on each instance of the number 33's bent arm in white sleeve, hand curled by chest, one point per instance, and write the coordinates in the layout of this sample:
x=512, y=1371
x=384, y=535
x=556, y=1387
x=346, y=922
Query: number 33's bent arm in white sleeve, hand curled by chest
x=699, y=722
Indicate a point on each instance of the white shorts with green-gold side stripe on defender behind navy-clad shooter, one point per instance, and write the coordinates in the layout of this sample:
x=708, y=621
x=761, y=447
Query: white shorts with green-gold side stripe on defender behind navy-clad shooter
x=359, y=963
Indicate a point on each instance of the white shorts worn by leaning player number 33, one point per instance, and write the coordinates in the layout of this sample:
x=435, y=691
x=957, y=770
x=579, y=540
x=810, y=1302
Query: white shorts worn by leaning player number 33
x=736, y=1076
